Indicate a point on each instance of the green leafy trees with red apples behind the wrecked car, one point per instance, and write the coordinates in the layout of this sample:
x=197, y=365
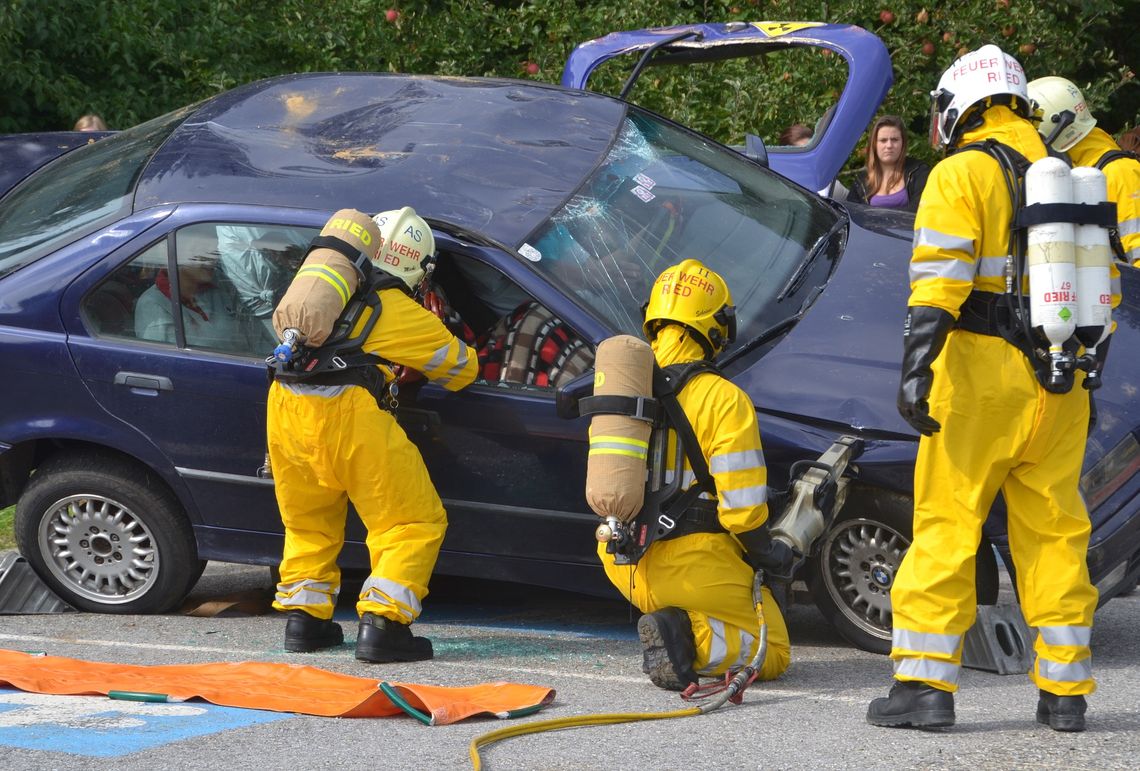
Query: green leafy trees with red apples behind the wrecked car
x=134, y=60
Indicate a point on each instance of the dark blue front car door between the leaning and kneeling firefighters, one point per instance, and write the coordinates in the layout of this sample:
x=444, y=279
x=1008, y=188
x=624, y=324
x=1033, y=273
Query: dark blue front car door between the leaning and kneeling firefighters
x=510, y=472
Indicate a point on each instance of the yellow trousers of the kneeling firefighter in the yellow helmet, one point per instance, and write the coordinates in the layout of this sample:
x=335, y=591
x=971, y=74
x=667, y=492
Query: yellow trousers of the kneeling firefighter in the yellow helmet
x=704, y=575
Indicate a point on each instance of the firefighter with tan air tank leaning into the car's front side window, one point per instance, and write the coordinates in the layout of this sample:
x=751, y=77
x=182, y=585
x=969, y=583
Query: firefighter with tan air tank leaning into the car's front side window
x=333, y=437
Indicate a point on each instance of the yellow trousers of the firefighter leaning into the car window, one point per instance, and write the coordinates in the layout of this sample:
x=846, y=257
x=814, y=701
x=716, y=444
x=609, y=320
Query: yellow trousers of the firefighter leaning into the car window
x=325, y=451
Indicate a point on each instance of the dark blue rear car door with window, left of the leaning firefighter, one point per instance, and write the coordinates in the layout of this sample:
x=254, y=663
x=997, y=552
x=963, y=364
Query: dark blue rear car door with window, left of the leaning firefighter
x=190, y=377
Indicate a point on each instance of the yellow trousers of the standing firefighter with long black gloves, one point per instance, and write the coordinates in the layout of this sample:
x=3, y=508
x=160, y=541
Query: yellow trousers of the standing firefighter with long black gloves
x=1000, y=433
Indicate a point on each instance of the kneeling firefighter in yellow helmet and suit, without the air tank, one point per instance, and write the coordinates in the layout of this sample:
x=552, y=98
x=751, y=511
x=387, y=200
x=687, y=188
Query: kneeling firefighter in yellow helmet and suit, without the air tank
x=697, y=590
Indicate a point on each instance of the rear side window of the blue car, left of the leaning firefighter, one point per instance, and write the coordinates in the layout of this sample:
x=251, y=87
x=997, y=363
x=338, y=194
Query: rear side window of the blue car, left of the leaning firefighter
x=229, y=278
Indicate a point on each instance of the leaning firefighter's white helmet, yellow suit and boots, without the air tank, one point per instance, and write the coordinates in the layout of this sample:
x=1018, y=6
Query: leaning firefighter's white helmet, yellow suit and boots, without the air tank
x=330, y=444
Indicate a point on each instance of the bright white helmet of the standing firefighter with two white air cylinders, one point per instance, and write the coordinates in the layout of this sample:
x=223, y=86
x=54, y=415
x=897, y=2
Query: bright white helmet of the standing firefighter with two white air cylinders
x=976, y=82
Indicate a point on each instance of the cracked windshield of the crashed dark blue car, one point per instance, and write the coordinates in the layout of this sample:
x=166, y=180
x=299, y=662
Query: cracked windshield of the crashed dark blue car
x=664, y=196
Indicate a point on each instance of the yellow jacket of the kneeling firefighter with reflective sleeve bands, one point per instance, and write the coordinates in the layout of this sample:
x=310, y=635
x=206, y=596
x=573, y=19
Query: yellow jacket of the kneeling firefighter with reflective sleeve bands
x=724, y=421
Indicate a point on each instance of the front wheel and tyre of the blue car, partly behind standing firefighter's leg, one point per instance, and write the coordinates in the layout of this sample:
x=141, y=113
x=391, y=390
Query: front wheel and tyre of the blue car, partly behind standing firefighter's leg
x=854, y=567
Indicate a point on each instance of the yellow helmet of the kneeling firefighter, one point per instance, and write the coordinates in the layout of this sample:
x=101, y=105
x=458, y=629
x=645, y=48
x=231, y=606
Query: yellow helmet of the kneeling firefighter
x=696, y=298
